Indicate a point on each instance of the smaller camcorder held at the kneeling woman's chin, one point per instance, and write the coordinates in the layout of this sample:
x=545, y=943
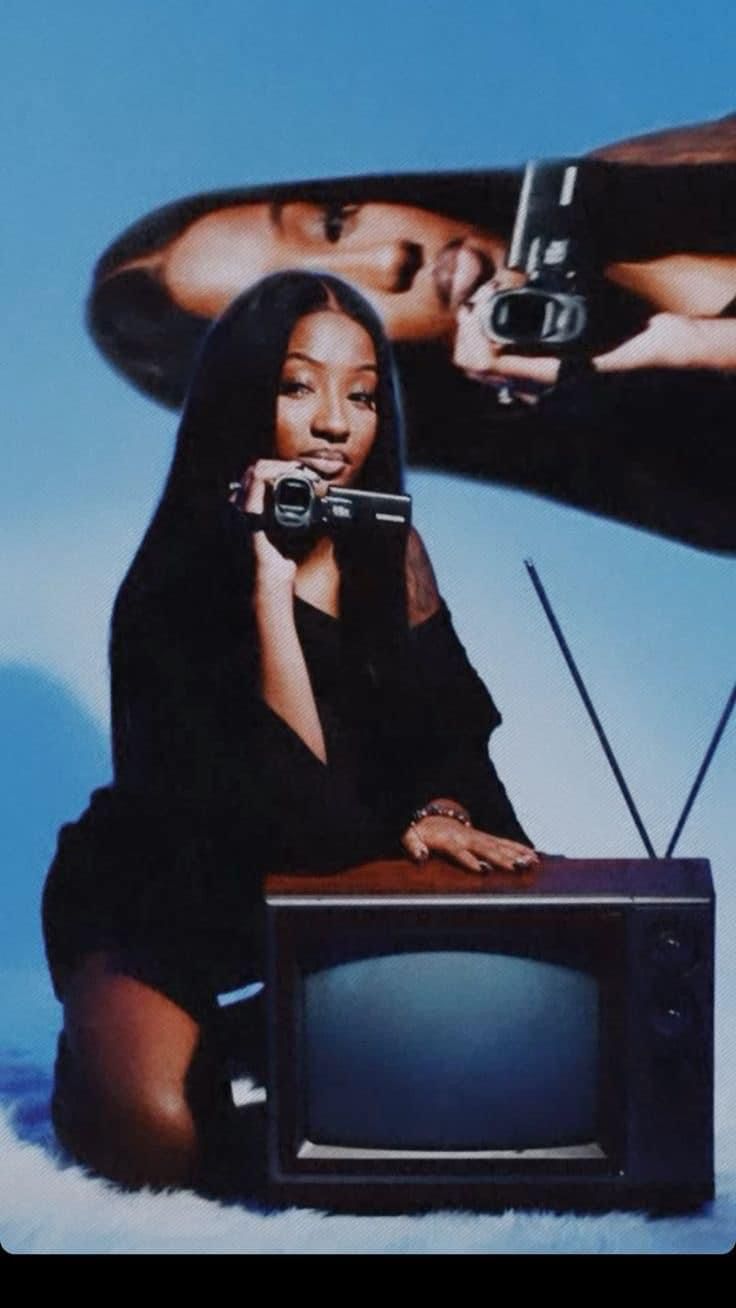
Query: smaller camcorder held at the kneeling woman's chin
x=296, y=507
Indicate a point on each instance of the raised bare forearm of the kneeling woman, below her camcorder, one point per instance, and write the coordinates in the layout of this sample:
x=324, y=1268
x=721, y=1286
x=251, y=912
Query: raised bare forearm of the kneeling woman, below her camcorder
x=286, y=683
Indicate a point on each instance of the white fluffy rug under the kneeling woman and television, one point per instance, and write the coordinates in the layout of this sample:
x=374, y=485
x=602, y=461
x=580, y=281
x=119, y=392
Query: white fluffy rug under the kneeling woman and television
x=48, y=1207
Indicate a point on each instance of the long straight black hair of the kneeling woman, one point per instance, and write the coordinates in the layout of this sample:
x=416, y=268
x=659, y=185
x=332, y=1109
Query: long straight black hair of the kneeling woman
x=190, y=581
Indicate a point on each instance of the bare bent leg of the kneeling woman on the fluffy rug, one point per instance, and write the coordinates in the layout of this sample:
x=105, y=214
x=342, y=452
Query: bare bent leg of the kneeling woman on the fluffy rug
x=135, y=1082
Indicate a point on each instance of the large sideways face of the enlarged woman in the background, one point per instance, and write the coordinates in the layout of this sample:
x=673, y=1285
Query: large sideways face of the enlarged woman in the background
x=414, y=266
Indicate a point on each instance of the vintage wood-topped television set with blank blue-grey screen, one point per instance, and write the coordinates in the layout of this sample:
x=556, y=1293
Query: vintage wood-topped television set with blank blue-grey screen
x=542, y=1039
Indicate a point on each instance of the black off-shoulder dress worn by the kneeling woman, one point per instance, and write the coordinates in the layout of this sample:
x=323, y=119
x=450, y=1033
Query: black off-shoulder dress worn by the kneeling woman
x=165, y=868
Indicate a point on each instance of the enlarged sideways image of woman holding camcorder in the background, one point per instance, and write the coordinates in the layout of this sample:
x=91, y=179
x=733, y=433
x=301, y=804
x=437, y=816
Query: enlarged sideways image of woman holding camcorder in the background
x=431, y=252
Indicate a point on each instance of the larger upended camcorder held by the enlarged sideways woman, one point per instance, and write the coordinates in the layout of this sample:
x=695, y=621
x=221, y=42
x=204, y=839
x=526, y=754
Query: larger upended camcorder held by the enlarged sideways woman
x=567, y=307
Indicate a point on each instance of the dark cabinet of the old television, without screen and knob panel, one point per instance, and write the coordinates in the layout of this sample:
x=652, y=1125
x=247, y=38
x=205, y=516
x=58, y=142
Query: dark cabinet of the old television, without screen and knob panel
x=586, y=924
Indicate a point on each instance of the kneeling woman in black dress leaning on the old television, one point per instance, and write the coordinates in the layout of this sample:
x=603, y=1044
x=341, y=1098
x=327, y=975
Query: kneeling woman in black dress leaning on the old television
x=275, y=706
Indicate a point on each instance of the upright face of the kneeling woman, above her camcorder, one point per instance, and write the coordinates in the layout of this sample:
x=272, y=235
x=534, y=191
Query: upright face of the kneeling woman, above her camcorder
x=326, y=409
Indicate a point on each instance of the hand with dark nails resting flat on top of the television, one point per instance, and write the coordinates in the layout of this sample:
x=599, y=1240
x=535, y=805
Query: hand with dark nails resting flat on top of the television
x=477, y=851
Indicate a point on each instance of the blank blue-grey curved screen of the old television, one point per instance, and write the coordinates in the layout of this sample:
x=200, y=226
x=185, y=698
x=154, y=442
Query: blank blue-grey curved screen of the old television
x=452, y=1050
